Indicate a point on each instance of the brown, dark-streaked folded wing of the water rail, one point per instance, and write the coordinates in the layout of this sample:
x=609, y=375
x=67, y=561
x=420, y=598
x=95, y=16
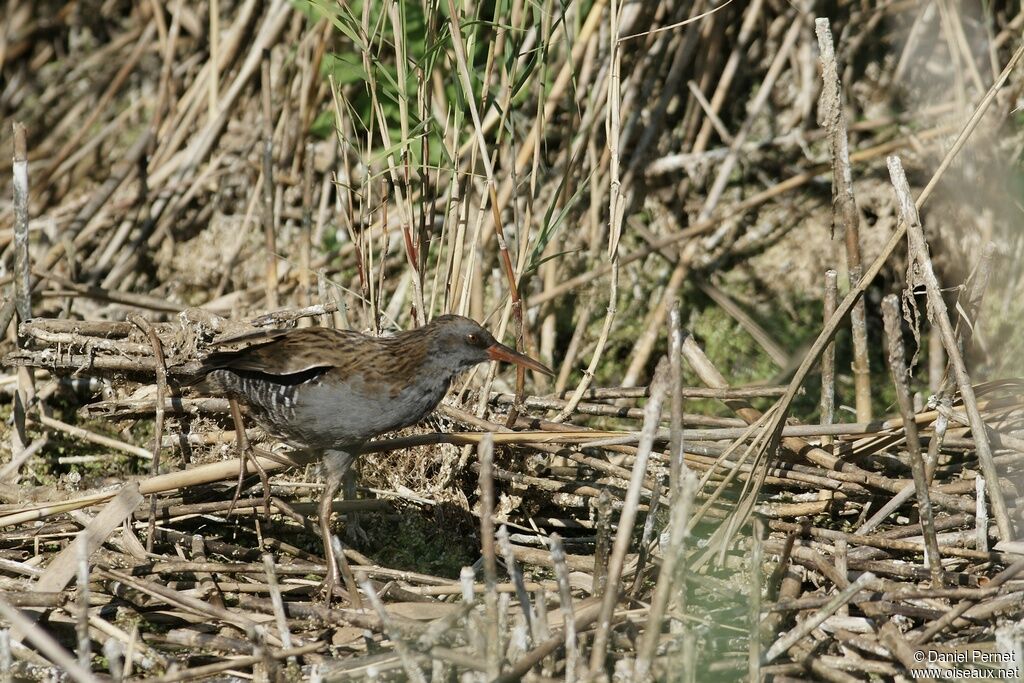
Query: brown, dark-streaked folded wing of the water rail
x=288, y=352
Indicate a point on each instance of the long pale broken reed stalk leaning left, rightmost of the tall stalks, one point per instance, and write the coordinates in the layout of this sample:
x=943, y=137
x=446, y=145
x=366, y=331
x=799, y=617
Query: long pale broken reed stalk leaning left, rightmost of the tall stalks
x=937, y=308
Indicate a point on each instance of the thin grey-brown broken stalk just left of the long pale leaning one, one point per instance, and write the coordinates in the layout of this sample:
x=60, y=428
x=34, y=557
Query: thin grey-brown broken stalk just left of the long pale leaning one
x=898, y=366
